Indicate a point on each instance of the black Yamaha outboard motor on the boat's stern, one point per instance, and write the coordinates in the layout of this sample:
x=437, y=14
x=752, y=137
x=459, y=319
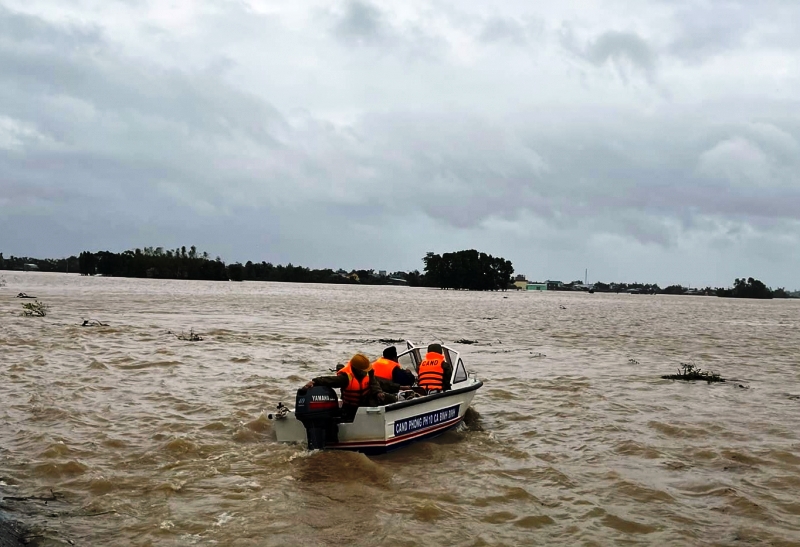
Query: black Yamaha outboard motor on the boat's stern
x=318, y=409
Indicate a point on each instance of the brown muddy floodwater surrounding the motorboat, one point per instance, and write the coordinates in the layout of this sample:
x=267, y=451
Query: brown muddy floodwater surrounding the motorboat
x=149, y=440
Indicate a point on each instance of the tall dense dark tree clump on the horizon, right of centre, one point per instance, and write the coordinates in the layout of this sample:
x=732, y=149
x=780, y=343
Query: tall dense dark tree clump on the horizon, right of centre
x=469, y=270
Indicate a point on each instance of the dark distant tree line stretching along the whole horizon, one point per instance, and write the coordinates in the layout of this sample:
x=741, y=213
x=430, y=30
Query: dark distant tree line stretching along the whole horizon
x=468, y=270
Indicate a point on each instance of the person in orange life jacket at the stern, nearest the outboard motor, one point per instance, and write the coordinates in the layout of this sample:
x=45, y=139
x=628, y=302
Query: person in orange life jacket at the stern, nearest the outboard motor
x=358, y=383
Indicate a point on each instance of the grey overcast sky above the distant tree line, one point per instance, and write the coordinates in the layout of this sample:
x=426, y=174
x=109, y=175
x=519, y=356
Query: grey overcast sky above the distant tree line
x=644, y=140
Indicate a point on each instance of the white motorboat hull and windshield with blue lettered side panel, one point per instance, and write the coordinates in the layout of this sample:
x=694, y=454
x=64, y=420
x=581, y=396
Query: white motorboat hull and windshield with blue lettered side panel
x=317, y=421
